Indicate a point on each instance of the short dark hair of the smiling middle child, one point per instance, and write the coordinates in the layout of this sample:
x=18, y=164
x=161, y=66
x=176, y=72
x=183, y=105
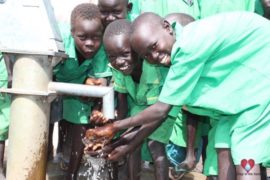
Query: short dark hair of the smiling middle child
x=118, y=27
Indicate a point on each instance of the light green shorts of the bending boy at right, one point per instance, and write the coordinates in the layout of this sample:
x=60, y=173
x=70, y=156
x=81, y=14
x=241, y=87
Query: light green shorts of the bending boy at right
x=250, y=137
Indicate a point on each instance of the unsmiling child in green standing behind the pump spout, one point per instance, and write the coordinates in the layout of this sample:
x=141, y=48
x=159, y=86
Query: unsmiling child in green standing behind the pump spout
x=82, y=44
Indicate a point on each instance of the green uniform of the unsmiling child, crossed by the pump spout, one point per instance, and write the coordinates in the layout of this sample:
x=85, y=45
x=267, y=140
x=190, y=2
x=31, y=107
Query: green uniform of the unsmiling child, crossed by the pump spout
x=74, y=109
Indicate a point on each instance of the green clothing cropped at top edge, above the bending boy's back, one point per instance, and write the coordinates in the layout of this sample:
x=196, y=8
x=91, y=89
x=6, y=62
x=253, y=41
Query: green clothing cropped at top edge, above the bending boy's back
x=209, y=8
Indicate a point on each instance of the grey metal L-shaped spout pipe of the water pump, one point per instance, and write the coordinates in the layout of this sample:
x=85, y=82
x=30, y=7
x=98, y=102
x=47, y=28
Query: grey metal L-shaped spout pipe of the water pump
x=106, y=93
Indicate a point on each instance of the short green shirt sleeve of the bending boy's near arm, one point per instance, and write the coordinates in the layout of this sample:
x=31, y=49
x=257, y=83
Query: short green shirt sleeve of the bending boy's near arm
x=189, y=54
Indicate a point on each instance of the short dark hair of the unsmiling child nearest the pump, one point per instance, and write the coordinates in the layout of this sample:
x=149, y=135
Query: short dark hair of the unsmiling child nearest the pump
x=86, y=11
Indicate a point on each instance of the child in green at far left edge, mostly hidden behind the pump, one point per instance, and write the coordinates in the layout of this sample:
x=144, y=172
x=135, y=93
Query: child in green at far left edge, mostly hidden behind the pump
x=4, y=113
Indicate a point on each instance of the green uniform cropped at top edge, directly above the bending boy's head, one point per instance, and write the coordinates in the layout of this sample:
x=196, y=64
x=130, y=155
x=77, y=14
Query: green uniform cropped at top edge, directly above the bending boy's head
x=164, y=7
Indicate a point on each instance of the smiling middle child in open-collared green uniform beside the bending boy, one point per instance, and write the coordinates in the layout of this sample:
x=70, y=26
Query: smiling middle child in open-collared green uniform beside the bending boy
x=138, y=85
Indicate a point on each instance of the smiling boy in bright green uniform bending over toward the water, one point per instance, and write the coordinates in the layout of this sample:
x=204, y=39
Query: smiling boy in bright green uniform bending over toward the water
x=216, y=78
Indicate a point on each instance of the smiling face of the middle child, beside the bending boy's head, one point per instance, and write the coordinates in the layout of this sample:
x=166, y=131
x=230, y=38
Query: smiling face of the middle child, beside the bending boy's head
x=120, y=54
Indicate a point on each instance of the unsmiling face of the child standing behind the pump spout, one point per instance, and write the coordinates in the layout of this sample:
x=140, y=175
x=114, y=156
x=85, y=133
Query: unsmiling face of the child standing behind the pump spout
x=87, y=35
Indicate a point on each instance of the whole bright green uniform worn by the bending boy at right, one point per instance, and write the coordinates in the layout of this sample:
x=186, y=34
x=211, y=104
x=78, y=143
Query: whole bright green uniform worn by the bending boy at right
x=226, y=78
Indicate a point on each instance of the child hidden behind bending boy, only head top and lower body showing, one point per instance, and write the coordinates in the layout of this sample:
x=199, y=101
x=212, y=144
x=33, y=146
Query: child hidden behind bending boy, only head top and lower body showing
x=181, y=150
